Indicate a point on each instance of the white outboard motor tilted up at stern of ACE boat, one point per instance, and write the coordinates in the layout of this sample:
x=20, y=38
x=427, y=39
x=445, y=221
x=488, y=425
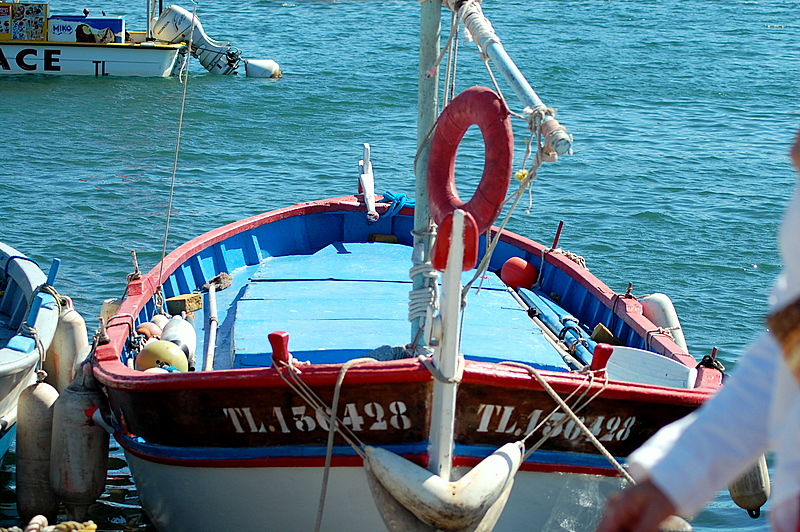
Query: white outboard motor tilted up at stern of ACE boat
x=218, y=57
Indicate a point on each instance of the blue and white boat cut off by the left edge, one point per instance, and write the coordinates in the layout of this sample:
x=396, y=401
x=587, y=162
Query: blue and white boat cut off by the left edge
x=29, y=314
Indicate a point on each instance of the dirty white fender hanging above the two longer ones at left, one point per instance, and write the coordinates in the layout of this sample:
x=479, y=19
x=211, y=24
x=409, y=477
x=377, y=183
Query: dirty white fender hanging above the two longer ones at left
x=69, y=341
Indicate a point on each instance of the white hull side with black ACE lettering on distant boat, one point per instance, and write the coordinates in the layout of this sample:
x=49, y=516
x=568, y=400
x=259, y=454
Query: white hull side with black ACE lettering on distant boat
x=88, y=59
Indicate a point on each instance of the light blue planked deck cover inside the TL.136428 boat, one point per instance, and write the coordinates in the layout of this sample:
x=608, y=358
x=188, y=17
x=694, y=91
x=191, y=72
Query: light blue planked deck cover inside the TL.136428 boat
x=347, y=300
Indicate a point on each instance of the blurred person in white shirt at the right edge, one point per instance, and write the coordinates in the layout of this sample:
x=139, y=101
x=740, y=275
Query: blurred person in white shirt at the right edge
x=758, y=410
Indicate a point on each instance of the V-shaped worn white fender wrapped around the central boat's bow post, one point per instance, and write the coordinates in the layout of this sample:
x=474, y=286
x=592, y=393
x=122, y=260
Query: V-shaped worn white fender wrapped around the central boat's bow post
x=446, y=505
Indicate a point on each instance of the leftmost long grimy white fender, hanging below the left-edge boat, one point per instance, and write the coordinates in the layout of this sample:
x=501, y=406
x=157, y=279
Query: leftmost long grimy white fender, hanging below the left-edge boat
x=35, y=496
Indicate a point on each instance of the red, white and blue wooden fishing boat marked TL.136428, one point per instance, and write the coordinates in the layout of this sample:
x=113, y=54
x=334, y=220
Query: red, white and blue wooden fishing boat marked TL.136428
x=267, y=370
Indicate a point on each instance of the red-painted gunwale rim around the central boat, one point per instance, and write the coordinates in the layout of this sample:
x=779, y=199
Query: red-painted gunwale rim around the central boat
x=110, y=371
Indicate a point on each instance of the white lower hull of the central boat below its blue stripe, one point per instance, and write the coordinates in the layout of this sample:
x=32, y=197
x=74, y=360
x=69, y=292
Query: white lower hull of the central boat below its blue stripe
x=287, y=499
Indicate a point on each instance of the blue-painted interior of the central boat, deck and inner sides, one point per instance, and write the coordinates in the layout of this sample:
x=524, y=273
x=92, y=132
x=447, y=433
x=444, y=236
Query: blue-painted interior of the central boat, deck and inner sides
x=340, y=296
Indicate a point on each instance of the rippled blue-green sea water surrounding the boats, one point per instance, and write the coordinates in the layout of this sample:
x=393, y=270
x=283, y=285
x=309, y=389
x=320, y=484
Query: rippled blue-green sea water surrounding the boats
x=682, y=114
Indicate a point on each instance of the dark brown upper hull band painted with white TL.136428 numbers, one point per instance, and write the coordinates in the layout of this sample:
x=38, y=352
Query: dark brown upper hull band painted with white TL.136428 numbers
x=262, y=415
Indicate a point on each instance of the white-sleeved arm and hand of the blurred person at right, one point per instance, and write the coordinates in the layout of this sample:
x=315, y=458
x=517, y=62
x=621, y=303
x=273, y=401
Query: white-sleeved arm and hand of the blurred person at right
x=685, y=463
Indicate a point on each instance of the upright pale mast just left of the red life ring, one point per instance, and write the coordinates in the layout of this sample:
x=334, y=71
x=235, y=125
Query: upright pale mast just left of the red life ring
x=427, y=112
